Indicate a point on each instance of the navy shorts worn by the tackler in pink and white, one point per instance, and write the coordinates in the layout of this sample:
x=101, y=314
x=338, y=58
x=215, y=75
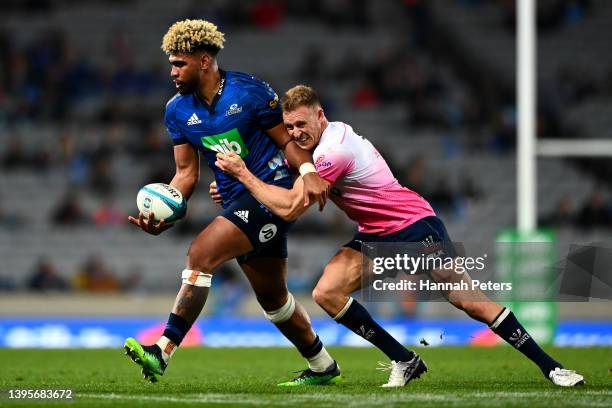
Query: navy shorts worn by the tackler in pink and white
x=429, y=233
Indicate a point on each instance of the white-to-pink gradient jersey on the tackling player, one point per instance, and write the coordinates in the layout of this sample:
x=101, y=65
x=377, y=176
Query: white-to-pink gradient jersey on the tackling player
x=363, y=185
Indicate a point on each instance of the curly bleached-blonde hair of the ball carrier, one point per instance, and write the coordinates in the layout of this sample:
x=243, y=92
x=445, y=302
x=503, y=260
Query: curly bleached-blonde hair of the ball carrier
x=189, y=36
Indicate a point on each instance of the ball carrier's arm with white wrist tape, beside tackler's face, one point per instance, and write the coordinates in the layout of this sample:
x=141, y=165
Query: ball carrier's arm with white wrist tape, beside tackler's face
x=314, y=186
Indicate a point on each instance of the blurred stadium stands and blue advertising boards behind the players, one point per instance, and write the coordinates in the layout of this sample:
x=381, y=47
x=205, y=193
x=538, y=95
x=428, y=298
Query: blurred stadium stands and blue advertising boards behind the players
x=82, y=90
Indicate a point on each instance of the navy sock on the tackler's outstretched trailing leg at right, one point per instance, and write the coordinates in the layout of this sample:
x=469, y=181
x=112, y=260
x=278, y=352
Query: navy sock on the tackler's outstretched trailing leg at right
x=506, y=326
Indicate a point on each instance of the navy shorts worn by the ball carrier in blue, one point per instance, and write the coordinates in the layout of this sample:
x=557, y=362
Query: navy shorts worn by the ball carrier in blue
x=266, y=231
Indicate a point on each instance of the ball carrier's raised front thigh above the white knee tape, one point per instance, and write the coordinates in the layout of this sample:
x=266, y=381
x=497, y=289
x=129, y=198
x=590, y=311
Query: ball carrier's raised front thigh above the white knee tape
x=220, y=241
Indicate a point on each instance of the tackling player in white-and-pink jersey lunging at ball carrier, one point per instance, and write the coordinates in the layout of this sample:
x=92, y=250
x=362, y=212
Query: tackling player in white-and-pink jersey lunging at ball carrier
x=366, y=190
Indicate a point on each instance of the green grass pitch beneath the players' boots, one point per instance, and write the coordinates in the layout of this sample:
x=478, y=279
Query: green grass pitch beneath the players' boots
x=457, y=377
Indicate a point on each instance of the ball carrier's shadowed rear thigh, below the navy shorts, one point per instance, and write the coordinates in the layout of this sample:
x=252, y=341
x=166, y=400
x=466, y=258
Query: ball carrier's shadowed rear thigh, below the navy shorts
x=268, y=278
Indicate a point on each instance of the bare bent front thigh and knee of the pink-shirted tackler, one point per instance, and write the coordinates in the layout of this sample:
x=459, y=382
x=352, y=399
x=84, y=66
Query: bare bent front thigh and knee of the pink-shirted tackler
x=342, y=274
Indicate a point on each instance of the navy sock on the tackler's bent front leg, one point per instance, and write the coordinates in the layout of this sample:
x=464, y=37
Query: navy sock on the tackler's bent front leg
x=358, y=320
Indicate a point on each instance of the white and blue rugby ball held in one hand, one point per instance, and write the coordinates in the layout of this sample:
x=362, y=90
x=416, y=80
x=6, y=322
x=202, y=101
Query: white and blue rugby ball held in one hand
x=164, y=201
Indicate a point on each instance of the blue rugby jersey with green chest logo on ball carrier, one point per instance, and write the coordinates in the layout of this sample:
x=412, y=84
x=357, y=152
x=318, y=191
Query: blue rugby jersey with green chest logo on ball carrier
x=243, y=109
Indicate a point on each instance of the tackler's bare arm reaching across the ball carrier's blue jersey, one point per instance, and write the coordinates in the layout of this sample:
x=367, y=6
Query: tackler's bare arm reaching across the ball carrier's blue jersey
x=286, y=204
